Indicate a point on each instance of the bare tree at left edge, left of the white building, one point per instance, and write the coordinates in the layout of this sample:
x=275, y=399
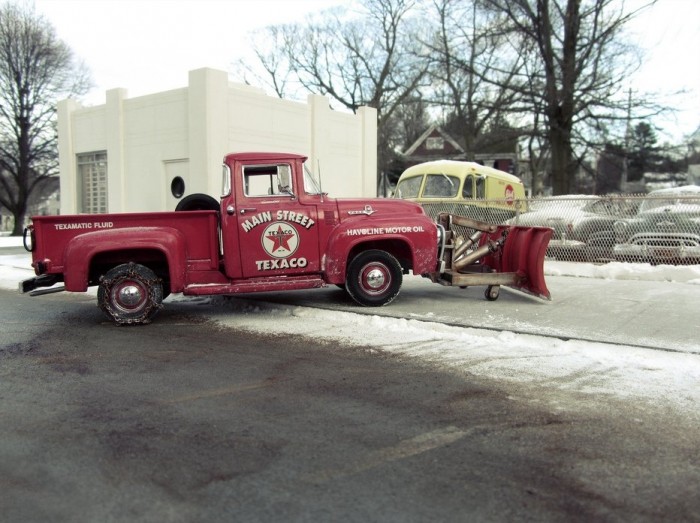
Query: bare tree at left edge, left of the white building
x=36, y=70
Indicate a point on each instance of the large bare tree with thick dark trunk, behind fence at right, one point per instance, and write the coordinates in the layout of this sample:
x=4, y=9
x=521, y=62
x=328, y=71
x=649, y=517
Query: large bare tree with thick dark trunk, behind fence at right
x=578, y=71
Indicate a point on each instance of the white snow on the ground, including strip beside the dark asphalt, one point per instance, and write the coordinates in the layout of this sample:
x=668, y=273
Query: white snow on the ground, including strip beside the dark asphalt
x=626, y=372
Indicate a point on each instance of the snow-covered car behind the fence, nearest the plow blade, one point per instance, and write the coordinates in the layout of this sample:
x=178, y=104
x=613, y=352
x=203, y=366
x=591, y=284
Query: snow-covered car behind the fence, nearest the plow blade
x=582, y=224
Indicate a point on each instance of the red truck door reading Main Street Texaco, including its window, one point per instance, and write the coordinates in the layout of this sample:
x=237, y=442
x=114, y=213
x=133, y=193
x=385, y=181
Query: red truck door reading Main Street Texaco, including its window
x=277, y=233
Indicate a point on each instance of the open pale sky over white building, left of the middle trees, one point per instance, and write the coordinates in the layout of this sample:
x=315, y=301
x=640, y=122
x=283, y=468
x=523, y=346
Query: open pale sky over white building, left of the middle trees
x=148, y=46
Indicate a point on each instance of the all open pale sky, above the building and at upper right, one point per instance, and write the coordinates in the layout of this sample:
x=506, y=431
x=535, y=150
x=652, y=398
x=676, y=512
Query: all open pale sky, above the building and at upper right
x=147, y=46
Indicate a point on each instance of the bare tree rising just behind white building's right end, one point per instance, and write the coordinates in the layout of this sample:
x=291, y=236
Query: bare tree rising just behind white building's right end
x=361, y=57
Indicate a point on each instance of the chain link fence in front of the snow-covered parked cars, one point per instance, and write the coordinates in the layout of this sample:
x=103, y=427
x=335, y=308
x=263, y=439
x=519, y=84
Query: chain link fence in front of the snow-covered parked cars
x=662, y=227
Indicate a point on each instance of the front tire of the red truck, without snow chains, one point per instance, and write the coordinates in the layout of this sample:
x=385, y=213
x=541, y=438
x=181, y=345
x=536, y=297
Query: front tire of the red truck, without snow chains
x=373, y=278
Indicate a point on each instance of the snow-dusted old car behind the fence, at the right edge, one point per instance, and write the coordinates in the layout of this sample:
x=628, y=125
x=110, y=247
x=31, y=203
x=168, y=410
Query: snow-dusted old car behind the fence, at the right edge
x=665, y=230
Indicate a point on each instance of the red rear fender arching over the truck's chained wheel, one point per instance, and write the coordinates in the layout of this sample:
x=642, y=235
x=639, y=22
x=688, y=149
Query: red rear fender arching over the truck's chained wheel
x=82, y=249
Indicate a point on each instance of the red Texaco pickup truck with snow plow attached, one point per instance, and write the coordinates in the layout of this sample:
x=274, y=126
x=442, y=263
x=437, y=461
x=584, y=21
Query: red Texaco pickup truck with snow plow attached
x=273, y=230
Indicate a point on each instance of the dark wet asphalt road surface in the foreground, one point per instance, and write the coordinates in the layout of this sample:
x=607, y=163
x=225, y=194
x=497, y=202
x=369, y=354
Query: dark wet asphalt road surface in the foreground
x=183, y=420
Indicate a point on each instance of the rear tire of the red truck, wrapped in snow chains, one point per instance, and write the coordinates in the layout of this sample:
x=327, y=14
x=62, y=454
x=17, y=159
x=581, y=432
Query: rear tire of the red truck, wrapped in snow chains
x=130, y=294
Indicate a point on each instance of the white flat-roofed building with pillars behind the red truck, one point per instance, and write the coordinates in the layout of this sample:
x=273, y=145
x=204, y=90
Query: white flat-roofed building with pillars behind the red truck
x=133, y=154
